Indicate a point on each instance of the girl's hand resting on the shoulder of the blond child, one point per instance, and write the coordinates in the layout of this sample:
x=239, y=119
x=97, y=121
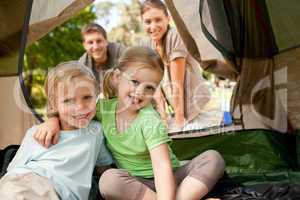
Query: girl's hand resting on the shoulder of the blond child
x=48, y=132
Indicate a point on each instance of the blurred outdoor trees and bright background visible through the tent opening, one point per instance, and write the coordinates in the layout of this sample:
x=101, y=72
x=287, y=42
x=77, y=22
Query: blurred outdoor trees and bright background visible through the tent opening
x=122, y=21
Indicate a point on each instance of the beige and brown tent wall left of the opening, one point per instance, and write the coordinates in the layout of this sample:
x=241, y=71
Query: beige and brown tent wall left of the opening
x=15, y=16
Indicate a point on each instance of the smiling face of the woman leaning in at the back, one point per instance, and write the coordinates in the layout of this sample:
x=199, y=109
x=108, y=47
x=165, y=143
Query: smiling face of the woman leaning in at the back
x=155, y=23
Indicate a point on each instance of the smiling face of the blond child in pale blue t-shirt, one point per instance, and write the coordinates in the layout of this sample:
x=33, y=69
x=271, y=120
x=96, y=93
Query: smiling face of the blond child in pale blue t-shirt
x=76, y=103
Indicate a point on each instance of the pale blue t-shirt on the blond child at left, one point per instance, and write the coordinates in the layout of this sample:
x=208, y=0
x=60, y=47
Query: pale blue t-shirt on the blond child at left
x=69, y=164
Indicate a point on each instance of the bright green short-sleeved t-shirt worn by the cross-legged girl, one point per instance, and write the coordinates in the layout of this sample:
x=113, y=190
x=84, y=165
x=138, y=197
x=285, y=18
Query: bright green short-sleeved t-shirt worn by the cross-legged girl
x=130, y=149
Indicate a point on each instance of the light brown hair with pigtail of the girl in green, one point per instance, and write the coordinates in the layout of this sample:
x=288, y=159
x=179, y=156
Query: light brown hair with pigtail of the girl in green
x=133, y=56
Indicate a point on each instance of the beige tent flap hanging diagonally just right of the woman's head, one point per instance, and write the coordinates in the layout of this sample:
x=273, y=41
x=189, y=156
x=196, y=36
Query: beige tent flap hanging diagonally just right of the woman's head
x=185, y=17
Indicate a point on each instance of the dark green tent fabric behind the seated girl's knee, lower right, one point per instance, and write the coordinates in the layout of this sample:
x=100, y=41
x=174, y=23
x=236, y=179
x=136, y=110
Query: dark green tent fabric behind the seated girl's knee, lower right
x=251, y=156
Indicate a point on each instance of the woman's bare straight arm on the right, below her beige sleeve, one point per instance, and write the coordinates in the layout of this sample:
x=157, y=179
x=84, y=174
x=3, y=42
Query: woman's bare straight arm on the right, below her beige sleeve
x=177, y=71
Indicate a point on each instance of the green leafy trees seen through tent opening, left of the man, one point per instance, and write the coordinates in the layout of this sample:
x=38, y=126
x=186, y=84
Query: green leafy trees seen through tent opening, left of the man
x=62, y=44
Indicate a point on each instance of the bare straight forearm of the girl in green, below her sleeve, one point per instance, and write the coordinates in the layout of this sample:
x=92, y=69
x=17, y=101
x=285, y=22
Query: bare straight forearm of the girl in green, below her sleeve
x=163, y=173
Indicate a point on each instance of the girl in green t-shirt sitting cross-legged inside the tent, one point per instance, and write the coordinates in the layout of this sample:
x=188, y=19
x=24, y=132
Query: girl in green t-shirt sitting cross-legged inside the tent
x=138, y=140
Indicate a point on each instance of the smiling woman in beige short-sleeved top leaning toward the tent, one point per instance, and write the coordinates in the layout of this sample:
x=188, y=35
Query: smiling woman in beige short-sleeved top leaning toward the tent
x=183, y=87
